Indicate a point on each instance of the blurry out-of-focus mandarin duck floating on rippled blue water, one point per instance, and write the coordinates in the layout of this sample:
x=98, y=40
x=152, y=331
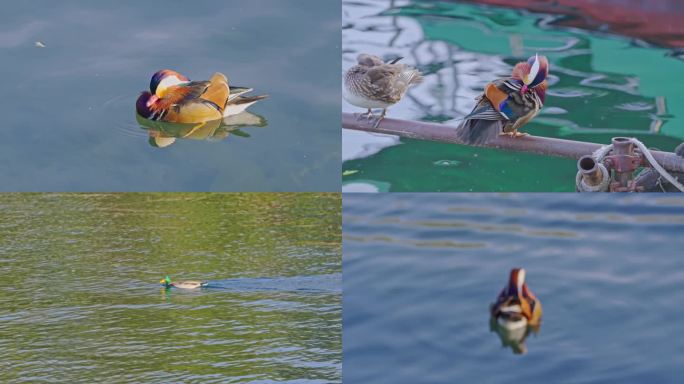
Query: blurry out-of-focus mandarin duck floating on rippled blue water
x=517, y=306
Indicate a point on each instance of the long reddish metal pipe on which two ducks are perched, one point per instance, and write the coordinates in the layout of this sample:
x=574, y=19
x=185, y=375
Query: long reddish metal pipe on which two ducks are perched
x=420, y=130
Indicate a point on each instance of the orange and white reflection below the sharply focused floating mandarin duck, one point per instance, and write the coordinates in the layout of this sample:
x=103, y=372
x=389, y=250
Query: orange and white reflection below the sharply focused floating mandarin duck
x=163, y=134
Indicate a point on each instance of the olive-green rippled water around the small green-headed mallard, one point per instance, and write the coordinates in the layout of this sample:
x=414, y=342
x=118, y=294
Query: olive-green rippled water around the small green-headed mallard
x=80, y=299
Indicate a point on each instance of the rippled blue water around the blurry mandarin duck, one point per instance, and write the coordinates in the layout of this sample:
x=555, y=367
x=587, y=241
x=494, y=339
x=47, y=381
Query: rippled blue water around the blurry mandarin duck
x=421, y=270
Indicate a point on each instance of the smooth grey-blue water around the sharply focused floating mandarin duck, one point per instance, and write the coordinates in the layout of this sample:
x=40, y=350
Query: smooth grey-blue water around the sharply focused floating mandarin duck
x=69, y=108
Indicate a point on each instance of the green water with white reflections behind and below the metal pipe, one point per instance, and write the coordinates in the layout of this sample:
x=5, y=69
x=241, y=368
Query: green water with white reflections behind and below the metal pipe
x=602, y=84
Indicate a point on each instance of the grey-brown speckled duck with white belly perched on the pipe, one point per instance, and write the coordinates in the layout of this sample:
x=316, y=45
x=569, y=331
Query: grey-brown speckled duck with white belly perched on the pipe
x=373, y=83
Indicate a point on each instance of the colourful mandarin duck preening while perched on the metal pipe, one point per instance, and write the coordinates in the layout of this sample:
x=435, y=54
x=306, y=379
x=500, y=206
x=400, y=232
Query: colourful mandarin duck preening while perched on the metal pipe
x=507, y=104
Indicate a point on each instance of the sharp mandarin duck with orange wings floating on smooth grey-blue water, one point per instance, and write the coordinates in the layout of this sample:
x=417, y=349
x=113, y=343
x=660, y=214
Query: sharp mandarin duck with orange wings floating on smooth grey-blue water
x=174, y=98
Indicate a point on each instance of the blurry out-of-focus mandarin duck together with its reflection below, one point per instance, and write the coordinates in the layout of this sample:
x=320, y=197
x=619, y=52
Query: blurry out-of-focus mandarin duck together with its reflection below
x=516, y=313
